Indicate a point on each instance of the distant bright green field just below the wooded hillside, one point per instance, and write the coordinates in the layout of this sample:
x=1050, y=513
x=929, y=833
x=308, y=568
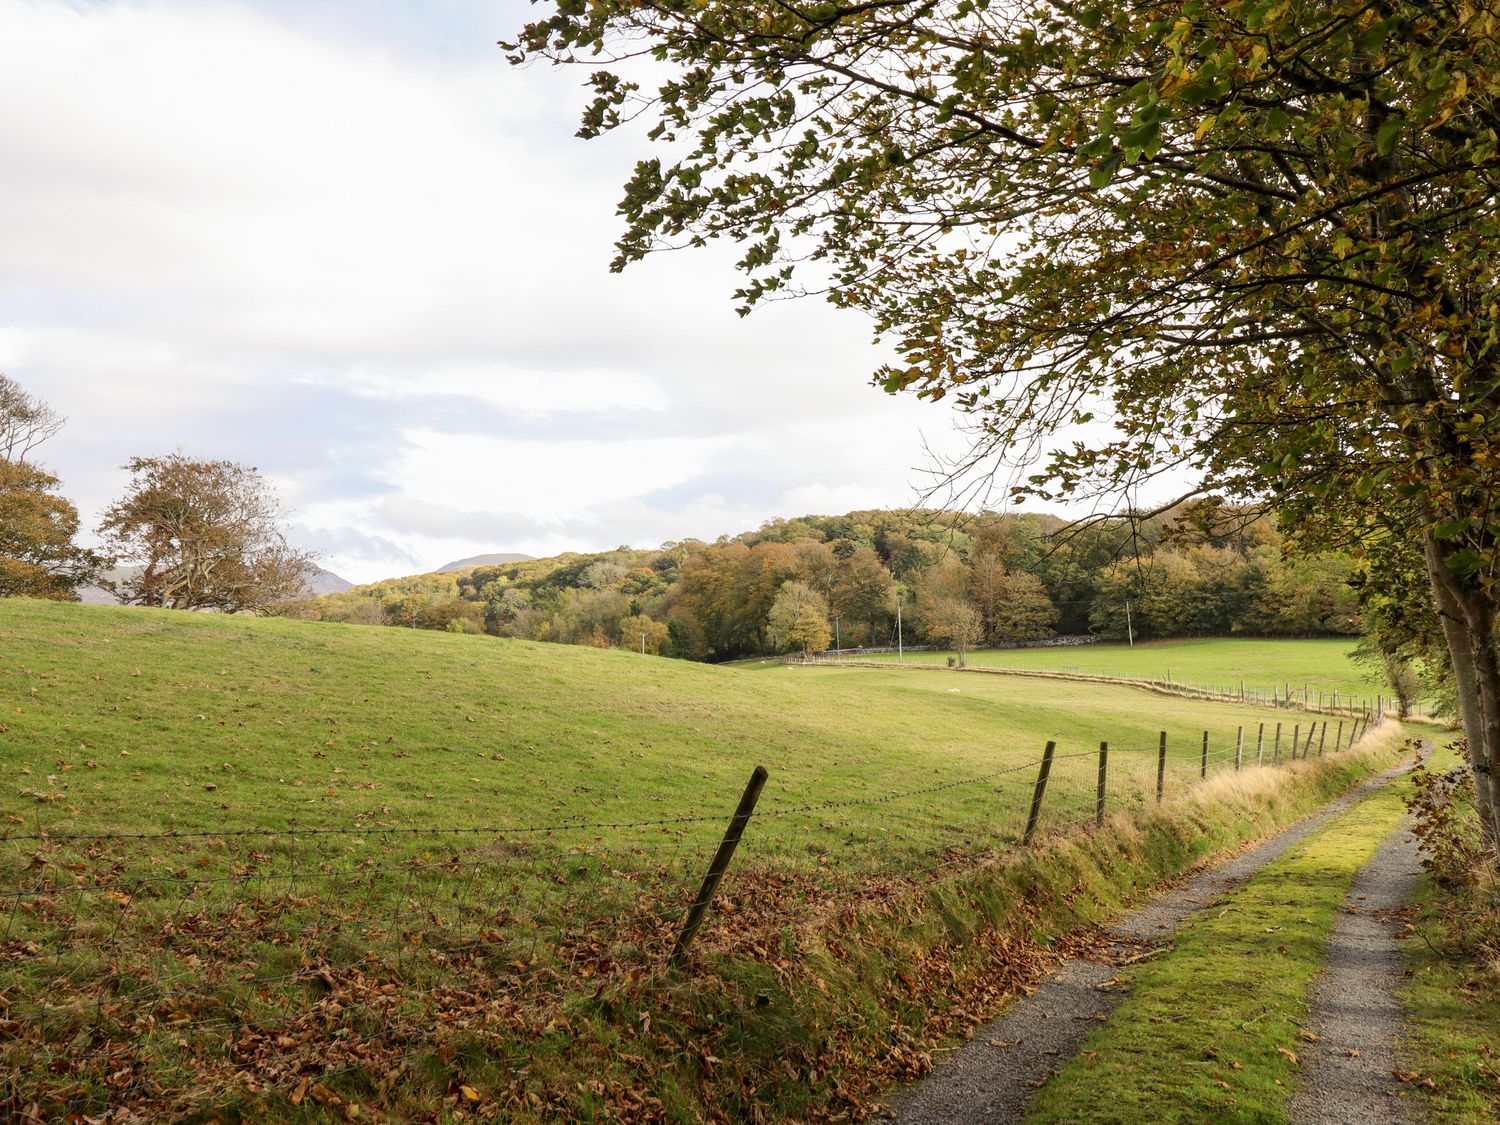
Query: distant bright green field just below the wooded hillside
x=1318, y=665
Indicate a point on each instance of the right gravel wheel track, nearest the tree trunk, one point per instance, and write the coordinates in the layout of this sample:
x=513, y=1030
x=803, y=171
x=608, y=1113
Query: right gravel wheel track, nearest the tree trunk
x=1349, y=1075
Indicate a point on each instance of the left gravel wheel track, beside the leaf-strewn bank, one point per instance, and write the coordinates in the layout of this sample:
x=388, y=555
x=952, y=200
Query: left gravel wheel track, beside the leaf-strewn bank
x=995, y=1075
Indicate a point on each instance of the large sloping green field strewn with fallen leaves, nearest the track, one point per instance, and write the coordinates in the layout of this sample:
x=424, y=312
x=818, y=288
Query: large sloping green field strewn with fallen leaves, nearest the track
x=374, y=833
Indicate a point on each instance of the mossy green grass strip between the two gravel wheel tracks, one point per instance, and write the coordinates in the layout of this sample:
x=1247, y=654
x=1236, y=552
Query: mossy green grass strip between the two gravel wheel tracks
x=1210, y=1031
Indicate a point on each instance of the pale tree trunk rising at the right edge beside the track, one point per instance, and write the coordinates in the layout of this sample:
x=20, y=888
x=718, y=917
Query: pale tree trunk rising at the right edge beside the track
x=1469, y=626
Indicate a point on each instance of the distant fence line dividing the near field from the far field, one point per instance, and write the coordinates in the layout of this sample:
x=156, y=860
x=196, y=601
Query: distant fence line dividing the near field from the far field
x=1283, y=697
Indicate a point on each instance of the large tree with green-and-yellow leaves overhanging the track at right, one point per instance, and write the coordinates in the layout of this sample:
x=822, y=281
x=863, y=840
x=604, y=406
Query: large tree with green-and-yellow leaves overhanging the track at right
x=1261, y=233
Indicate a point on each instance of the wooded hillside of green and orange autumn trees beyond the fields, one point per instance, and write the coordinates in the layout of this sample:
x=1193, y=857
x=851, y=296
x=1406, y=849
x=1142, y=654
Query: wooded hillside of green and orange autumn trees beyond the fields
x=958, y=581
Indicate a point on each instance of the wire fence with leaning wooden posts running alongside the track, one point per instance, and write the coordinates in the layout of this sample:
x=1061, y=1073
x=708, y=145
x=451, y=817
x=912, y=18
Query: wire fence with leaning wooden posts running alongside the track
x=167, y=976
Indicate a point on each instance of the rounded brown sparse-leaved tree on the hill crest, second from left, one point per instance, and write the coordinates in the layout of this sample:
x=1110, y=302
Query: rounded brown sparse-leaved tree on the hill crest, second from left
x=206, y=535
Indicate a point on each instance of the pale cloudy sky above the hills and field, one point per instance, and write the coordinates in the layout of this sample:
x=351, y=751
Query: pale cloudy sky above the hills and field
x=350, y=245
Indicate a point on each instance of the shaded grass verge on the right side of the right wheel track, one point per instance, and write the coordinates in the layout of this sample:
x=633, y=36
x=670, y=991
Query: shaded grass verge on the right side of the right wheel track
x=1453, y=992
